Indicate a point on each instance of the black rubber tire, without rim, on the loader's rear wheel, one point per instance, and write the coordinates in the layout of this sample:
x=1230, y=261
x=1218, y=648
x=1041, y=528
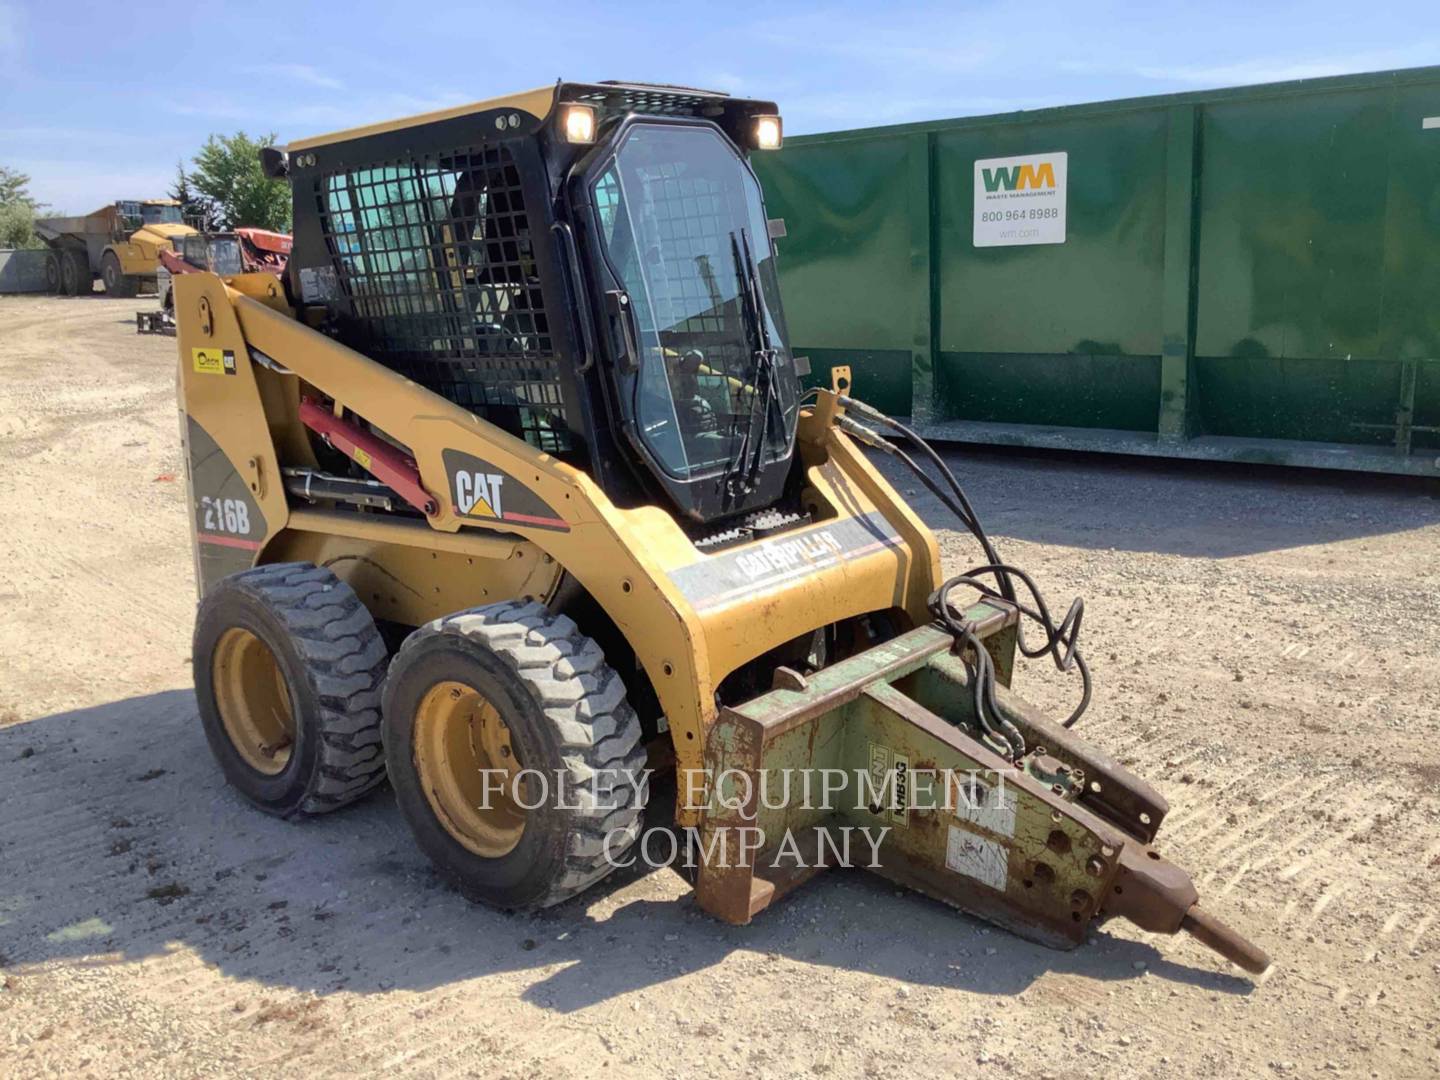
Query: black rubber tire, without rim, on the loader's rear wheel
x=333, y=662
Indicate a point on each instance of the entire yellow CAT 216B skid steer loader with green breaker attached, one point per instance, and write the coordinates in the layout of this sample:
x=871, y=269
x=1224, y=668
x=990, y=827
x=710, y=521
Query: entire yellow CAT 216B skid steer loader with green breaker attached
x=508, y=490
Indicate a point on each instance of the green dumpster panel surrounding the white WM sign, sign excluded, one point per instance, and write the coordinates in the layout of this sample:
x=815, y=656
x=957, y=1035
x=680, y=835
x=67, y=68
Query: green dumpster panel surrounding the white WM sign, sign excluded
x=1058, y=335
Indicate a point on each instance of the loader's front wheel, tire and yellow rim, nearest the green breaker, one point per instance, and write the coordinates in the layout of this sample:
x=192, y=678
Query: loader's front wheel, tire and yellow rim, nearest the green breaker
x=513, y=754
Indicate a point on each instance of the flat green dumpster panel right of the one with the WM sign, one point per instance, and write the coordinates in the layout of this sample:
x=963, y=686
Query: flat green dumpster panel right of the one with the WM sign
x=1292, y=270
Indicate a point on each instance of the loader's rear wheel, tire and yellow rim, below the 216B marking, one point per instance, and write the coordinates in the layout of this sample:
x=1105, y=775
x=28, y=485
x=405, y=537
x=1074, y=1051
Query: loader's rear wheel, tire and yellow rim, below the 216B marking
x=289, y=667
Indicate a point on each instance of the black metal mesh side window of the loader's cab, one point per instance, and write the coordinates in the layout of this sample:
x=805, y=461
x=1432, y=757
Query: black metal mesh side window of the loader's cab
x=437, y=258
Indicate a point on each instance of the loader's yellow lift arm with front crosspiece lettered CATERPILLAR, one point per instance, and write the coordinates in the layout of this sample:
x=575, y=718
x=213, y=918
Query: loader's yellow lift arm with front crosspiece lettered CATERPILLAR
x=692, y=618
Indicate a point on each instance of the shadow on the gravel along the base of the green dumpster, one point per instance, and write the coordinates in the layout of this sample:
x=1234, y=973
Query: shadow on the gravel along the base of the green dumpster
x=1213, y=509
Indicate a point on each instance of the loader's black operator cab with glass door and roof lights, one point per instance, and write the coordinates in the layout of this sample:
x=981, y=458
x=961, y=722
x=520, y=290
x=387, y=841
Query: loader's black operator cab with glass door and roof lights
x=588, y=267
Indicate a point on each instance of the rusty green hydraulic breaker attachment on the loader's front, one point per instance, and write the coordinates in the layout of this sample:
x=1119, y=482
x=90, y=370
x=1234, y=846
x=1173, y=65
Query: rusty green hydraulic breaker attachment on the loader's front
x=879, y=761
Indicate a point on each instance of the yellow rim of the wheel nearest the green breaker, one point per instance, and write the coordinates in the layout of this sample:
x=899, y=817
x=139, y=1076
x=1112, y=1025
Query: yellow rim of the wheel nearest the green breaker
x=469, y=770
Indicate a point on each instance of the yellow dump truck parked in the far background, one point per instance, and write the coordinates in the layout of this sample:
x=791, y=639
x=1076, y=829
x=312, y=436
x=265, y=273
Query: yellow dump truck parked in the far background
x=119, y=244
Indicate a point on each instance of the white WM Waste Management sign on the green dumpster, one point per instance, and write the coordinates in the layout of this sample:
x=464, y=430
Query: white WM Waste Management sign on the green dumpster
x=1020, y=201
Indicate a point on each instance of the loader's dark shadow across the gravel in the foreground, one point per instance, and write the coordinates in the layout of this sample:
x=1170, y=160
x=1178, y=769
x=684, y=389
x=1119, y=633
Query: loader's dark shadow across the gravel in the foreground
x=120, y=842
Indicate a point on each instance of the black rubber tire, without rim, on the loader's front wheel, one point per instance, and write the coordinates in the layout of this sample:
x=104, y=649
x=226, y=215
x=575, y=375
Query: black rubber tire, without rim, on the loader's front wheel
x=568, y=716
